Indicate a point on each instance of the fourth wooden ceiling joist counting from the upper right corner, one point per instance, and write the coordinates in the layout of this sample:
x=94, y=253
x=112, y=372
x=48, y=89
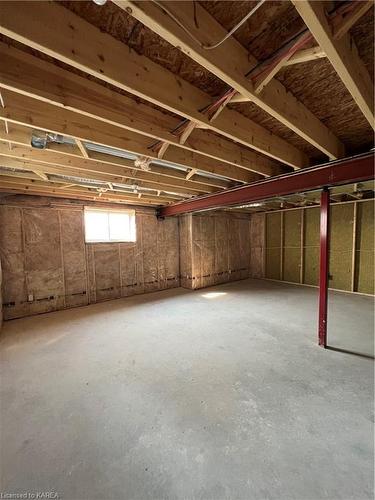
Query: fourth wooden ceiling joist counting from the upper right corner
x=26, y=74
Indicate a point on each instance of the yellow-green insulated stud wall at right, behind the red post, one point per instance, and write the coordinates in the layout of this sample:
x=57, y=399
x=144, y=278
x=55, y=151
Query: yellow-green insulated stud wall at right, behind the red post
x=292, y=246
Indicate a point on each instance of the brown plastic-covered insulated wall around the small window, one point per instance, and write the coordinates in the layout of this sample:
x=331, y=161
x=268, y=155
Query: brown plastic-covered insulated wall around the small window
x=47, y=265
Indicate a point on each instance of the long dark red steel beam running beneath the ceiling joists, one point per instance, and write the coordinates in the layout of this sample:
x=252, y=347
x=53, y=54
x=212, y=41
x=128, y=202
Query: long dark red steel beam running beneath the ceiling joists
x=346, y=171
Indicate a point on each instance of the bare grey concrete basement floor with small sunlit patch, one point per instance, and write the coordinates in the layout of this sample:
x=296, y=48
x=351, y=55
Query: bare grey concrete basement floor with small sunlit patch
x=215, y=394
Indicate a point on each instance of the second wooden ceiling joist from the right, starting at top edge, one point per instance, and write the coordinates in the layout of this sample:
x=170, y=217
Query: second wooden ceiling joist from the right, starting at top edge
x=230, y=62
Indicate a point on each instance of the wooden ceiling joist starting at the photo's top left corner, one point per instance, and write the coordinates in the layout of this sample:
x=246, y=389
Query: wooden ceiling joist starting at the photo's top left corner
x=108, y=59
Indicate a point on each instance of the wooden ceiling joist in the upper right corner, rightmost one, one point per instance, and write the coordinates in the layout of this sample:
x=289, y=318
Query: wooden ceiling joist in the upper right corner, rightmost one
x=342, y=54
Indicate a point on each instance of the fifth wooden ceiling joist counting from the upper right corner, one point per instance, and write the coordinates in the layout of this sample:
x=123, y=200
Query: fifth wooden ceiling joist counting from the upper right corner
x=33, y=113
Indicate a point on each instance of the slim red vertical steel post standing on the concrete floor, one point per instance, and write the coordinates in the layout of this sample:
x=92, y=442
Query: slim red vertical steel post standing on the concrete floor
x=323, y=267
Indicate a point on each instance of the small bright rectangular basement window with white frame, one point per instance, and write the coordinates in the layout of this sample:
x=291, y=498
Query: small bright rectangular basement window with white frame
x=106, y=226
